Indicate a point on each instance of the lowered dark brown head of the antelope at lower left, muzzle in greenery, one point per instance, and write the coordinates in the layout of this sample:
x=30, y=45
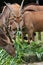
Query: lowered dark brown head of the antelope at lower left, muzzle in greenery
x=6, y=44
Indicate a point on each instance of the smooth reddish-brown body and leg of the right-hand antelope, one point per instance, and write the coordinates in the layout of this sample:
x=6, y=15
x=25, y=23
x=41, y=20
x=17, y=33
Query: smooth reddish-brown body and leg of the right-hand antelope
x=33, y=22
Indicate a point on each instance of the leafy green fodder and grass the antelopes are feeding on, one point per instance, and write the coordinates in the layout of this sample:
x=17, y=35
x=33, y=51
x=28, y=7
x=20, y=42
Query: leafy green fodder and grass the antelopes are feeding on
x=24, y=52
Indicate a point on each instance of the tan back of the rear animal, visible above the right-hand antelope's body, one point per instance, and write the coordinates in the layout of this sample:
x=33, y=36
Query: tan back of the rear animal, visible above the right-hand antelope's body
x=33, y=7
